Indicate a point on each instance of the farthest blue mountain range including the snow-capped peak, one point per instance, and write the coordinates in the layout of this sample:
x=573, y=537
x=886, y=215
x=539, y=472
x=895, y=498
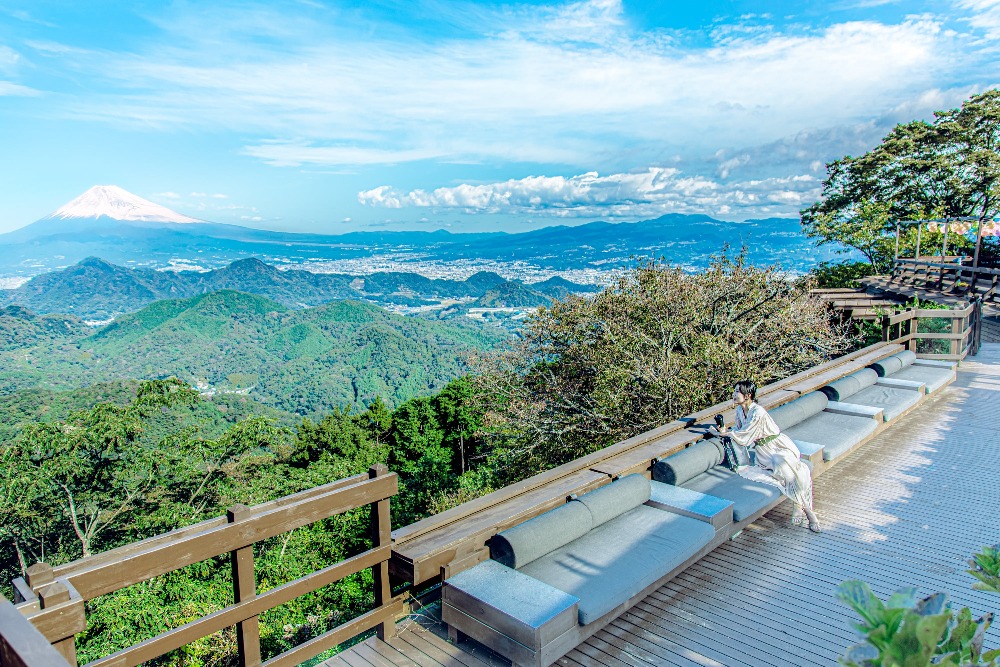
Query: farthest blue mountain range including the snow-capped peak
x=111, y=223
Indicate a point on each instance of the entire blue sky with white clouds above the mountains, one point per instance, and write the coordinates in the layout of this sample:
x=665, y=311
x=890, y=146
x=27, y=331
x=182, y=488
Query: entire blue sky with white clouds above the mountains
x=335, y=116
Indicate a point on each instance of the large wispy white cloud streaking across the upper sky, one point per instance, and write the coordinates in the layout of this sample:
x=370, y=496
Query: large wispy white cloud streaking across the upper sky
x=566, y=84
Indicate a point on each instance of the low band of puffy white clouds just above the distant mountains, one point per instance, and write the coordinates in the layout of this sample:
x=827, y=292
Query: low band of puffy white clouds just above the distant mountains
x=654, y=191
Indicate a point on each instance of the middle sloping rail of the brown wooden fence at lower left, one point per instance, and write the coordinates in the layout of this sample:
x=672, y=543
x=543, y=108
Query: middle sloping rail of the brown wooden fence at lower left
x=253, y=606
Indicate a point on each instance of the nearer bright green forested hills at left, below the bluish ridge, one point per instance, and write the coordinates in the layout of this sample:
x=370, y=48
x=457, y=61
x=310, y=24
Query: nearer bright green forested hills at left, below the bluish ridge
x=304, y=361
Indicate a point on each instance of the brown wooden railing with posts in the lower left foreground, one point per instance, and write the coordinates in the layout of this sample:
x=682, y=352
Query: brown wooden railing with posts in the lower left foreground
x=52, y=598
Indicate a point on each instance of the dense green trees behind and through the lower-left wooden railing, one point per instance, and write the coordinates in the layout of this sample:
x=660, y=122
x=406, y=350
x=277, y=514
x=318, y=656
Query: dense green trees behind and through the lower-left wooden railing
x=121, y=471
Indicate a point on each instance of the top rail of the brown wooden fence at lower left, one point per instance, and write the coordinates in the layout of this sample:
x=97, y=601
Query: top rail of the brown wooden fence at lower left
x=105, y=577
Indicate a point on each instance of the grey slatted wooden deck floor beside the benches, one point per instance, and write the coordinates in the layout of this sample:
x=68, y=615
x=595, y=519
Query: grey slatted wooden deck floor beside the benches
x=908, y=508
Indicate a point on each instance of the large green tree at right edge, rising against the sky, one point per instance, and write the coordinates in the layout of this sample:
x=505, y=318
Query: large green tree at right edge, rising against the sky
x=946, y=168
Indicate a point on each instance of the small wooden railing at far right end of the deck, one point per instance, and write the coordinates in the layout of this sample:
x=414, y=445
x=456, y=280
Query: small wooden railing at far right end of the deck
x=962, y=335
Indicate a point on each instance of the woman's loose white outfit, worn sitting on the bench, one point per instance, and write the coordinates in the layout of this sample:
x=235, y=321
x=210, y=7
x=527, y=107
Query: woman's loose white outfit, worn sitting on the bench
x=778, y=461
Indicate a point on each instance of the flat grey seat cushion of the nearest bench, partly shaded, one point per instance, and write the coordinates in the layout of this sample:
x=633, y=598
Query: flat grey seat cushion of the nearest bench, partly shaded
x=618, y=559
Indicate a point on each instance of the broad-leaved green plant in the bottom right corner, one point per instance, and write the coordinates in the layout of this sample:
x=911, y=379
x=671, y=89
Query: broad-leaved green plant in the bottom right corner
x=905, y=631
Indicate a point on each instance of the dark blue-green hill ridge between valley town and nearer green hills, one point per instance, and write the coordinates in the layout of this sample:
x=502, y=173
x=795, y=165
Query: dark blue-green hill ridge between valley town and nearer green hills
x=95, y=289
